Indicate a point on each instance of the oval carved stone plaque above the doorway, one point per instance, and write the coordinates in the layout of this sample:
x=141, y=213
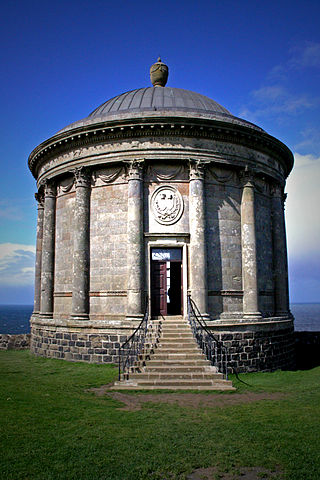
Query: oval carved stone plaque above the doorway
x=166, y=205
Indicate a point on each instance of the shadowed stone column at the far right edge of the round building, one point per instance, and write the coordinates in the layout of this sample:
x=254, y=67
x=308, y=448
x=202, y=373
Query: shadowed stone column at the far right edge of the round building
x=280, y=263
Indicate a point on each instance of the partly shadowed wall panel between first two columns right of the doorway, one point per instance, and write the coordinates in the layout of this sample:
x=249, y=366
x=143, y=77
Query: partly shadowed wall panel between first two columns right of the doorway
x=224, y=243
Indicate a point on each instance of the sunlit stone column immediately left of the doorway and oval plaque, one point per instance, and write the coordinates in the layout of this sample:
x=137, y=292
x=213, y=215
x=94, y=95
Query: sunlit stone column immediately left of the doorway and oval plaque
x=135, y=256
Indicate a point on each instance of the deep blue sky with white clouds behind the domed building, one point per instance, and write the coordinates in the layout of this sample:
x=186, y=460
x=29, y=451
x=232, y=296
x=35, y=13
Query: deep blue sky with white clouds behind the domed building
x=261, y=60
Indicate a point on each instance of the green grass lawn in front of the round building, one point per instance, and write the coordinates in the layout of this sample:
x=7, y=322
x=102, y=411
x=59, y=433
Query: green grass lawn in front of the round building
x=51, y=427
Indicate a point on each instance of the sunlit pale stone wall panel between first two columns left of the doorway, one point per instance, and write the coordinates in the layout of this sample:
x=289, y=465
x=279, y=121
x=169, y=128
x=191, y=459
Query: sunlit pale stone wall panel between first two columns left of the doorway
x=108, y=249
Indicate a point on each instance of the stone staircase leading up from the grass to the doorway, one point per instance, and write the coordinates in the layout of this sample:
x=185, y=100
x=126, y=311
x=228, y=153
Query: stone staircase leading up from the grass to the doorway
x=176, y=364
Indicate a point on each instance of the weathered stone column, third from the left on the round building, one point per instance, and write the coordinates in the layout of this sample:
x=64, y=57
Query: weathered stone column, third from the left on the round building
x=81, y=245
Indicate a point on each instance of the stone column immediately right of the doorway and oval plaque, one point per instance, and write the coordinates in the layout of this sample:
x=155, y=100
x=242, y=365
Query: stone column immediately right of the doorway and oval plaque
x=198, y=248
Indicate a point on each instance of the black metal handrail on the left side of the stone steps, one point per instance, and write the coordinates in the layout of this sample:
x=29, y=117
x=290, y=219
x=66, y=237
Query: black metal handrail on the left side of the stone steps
x=130, y=350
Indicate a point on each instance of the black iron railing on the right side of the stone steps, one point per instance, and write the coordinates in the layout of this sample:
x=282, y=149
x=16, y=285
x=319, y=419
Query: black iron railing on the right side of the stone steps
x=214, y=350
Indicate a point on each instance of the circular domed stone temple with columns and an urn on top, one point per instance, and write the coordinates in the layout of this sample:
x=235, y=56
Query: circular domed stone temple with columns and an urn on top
x=160, y=194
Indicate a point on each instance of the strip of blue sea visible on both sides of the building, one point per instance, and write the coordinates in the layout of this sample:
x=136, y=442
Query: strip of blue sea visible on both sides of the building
x=15, y=318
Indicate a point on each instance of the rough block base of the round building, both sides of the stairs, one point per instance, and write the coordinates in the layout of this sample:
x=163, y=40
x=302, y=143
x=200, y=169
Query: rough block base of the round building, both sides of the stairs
x=250, y=349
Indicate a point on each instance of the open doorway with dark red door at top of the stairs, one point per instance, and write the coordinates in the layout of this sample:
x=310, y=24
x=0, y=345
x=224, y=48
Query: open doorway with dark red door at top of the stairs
x=166, y=281
